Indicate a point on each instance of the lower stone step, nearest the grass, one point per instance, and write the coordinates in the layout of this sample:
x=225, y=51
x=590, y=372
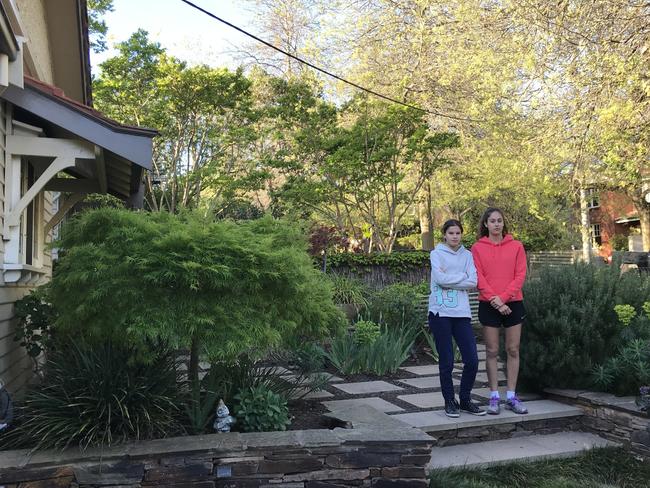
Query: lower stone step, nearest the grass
x=529, y=448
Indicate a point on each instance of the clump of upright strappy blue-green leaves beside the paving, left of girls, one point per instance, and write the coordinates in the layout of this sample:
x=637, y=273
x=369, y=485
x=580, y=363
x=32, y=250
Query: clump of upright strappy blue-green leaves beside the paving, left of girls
x=383, y=356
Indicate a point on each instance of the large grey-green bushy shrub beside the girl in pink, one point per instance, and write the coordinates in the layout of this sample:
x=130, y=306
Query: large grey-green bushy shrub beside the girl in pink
x=571, y=324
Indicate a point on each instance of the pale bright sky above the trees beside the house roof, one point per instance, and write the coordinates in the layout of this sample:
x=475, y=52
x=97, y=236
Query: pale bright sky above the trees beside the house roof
x=185, y=32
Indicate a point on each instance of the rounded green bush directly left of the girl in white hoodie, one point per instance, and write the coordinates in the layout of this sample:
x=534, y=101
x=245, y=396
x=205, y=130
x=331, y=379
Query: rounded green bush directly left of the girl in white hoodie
x=398, y=305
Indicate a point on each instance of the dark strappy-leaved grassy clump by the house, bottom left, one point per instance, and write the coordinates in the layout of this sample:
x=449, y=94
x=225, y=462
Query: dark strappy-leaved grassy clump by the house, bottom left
x=99, y=395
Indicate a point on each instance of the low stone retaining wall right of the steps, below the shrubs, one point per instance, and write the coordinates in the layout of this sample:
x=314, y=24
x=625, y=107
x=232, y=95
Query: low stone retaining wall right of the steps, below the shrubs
x=614, y=418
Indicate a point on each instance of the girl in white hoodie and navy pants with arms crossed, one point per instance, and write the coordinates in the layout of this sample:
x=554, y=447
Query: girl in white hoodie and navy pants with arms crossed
x=452, y=275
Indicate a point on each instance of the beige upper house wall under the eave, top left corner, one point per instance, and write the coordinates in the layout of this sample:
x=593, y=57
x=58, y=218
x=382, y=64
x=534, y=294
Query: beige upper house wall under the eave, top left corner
x=32, y=14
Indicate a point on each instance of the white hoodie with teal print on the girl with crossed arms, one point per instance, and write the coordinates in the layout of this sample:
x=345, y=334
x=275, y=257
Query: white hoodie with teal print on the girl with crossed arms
x=452, y=274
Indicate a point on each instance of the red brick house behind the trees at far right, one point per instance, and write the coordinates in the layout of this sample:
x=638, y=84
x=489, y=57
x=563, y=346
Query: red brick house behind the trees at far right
x=614, y=222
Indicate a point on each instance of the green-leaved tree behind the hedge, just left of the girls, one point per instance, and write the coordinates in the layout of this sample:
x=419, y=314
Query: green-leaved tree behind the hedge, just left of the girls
x=374, y=166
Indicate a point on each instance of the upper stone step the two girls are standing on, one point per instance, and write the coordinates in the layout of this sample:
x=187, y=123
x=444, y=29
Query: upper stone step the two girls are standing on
x=436, y=420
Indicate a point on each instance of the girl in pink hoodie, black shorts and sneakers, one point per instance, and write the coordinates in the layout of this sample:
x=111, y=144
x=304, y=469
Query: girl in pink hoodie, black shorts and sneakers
x=501, y=269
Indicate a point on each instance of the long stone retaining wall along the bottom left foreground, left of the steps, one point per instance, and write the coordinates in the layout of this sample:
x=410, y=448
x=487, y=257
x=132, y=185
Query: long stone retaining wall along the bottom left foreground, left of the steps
x=385, y=454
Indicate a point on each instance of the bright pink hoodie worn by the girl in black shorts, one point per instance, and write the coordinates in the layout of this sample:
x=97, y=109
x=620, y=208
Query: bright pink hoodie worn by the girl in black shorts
x=501, y=268
